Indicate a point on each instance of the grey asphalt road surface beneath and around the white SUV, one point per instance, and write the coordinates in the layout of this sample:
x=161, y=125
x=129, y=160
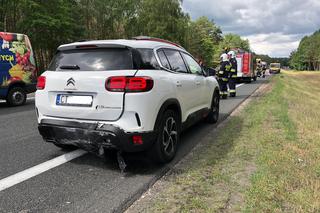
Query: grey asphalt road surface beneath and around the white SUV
x=87, y=183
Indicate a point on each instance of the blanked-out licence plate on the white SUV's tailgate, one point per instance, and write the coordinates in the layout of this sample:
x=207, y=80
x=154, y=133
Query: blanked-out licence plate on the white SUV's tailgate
x=74, y=100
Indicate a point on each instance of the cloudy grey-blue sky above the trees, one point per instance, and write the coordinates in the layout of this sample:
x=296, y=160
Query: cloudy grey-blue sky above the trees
x=273, y=27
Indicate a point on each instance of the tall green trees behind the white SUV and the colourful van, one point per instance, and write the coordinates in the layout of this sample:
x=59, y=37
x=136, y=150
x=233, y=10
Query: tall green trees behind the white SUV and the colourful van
x=50, y=23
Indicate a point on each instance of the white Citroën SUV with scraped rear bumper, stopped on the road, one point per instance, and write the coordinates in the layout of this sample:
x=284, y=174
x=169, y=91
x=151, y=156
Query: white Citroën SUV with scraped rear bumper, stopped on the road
x=130, y=95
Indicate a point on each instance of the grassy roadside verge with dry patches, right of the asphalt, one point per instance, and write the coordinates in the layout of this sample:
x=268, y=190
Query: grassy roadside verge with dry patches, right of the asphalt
x=270, y=162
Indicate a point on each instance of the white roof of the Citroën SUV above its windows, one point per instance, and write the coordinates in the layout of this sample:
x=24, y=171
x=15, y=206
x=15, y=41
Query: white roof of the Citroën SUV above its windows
x=121, y=43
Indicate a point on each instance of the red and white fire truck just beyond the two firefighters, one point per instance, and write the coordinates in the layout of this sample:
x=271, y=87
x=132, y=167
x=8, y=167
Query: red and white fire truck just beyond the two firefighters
x=246, y=71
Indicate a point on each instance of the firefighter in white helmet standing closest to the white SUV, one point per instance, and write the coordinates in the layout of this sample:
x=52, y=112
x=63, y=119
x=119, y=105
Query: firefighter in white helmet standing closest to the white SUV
x=223, y=75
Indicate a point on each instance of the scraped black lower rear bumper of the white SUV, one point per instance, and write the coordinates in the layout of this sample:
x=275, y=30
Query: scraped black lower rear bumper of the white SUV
x=93, y=136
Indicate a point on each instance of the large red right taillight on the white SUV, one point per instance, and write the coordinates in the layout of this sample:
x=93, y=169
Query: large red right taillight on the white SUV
x=129, y=84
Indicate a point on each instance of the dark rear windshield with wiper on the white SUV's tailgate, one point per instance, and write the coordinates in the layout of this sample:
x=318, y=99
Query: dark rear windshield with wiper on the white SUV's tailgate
x=92, y=60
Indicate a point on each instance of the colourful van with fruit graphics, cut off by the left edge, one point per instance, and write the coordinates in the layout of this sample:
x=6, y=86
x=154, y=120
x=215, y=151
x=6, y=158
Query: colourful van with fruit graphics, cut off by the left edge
x=18, y=73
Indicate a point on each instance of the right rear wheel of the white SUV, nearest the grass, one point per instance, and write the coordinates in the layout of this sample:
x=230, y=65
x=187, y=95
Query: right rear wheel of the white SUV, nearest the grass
x=165, y=147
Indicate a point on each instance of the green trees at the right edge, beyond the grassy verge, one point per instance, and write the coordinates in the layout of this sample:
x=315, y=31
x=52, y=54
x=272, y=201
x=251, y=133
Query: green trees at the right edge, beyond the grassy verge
x=307, y=56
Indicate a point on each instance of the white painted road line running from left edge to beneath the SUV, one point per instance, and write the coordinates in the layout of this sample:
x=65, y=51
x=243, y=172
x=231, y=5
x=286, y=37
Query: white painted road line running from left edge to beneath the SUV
x=36, y=170
